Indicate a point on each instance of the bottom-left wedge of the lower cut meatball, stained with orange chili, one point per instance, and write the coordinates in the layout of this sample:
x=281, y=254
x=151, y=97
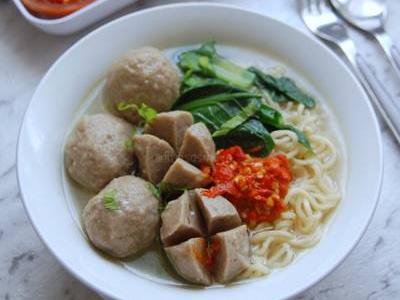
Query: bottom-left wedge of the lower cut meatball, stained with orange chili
x=189, y=260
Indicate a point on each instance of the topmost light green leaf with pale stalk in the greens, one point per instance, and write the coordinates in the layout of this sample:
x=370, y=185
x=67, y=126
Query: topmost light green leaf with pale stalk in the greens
x=205, y=62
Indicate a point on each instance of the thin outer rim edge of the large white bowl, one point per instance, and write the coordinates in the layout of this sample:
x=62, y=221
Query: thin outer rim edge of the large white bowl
x=102, y=290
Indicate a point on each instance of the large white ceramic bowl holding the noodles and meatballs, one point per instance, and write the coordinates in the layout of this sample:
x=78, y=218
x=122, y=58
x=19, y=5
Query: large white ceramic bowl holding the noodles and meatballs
x=62, y=89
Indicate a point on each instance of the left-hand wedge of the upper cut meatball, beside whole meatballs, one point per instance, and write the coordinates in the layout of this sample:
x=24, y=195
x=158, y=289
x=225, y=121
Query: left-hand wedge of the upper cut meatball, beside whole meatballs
x=155, y=156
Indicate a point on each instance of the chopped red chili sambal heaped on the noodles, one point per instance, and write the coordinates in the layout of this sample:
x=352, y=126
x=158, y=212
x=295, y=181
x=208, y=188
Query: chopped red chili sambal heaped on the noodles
x=255, y=186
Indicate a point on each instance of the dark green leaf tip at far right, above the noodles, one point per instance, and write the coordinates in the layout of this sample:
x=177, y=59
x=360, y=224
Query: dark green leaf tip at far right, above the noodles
x=282, y=89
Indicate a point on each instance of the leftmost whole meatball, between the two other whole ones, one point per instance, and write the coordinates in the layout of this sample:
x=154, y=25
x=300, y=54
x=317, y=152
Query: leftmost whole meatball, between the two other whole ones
x=95, y=152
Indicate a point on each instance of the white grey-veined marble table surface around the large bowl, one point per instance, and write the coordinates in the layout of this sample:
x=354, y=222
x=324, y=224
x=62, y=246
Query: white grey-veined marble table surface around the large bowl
x=29, y=271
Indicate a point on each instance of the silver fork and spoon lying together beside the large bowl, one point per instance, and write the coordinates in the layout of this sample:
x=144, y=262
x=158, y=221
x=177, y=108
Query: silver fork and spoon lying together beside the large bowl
x=322, y=19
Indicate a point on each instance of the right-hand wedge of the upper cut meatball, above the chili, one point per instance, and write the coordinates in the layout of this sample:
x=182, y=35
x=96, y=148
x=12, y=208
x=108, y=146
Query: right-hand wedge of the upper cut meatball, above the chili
x=198, y=146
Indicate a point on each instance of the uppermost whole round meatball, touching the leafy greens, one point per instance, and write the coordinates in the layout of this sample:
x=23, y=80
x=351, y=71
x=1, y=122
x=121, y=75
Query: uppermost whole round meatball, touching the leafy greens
x=141, y=76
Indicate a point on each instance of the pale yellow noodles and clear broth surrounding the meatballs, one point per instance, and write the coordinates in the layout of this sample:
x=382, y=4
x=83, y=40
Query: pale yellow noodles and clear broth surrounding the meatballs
x=315, y=190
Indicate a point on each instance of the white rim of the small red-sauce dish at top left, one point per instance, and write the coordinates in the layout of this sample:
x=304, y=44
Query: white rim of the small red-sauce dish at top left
x=76, y=21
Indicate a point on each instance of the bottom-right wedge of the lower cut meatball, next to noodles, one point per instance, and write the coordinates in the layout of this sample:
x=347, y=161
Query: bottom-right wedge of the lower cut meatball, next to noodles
x=233, y=256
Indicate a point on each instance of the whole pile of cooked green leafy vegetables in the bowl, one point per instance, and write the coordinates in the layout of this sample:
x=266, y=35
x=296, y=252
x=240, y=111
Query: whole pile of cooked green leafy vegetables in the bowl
x=227, y=99
